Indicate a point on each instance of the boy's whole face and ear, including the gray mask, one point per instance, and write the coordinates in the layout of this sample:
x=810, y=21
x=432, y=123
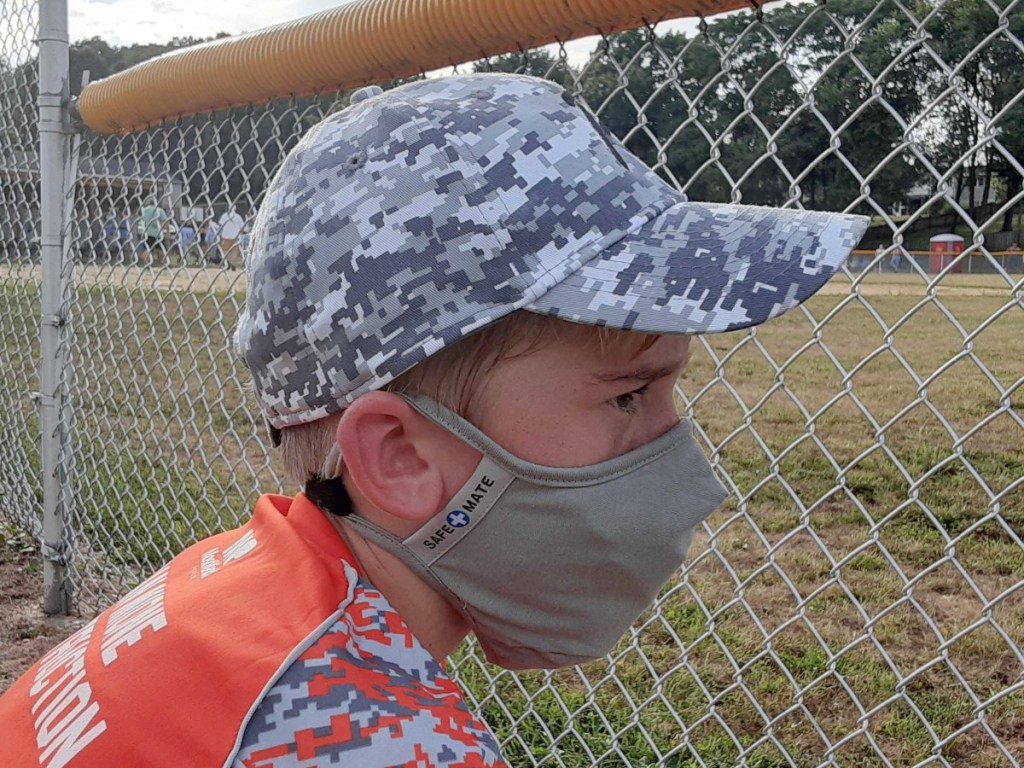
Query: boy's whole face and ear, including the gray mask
x=569, y=403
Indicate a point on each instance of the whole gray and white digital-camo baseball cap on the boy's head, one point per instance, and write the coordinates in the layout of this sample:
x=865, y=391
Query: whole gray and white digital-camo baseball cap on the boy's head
x=414, y=218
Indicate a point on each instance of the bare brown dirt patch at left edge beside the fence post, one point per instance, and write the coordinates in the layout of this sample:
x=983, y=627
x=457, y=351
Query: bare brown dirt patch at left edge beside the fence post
x=26, y=633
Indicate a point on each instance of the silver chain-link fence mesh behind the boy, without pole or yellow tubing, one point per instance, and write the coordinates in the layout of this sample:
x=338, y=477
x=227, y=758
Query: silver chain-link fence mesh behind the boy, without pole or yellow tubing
x=861, y=599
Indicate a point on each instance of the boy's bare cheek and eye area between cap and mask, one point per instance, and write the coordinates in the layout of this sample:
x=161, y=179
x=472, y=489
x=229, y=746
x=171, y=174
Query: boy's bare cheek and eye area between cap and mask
x=572, y=403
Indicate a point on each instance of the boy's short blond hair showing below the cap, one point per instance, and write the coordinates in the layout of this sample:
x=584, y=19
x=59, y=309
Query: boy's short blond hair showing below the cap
x=453, y=377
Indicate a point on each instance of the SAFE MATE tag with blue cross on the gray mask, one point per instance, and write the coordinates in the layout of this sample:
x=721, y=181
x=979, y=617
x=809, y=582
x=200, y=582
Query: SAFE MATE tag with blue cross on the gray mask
x=463, y=513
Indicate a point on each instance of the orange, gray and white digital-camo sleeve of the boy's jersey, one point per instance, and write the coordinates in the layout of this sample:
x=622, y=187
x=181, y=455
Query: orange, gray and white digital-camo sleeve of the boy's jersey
x=366, y=695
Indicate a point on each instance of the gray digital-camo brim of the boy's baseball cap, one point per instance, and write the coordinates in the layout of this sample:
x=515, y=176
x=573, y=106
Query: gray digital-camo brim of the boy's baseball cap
x=707, y=268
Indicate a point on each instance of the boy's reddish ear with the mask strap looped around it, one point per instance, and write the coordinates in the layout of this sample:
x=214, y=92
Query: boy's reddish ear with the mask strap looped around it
x=392, y=455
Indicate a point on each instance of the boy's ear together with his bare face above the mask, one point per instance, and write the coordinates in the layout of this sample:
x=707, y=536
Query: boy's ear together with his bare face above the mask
x=570, y=402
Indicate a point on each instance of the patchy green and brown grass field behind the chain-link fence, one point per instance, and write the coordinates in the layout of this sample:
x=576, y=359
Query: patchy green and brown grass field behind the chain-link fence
x=862, y=595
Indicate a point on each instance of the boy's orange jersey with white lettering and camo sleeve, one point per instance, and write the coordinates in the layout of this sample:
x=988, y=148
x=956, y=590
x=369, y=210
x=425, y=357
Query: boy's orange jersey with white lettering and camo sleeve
x=258, y=648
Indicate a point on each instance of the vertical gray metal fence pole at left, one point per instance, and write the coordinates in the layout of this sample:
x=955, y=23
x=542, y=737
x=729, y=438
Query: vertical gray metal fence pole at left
x=54, y=133
